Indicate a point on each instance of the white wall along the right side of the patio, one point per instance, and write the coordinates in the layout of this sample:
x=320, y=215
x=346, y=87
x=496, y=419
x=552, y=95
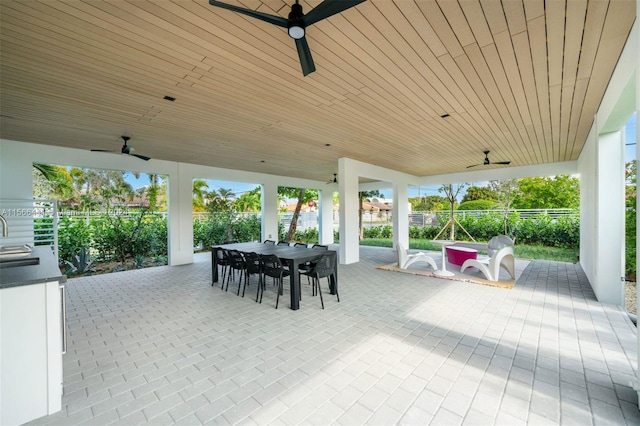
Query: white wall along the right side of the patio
x=601, y=168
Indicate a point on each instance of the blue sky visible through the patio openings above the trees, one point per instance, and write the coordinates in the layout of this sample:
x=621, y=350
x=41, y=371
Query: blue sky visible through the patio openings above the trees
x=238, y=187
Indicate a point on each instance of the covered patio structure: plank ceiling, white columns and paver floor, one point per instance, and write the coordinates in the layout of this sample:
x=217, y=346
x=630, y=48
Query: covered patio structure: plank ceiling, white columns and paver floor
x=407, y=94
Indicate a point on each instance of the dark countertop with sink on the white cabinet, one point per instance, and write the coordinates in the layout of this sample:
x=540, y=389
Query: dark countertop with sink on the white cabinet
x=47, y=270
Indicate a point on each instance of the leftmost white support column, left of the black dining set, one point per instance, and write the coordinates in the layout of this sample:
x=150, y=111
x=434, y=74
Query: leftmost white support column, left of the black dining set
x=180, y=226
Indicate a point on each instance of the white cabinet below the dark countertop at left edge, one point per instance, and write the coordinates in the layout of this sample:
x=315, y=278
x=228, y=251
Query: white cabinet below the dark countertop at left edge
x=30, y=352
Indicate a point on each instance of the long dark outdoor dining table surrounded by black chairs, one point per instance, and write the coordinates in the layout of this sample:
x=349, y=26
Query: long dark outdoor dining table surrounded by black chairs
x=288, y=255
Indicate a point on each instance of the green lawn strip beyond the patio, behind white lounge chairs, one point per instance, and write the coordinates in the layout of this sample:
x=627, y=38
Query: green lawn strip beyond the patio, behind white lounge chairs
x=521, y=251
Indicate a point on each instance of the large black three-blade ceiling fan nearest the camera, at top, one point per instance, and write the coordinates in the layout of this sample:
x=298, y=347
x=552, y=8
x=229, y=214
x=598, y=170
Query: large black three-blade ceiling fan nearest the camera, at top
x=297, y=22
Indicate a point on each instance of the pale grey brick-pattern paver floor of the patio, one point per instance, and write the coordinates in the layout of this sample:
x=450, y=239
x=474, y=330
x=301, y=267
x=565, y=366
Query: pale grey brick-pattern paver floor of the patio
x=161, y=346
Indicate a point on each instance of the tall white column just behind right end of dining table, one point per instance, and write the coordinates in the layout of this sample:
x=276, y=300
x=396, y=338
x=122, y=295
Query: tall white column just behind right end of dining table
x=349, y=205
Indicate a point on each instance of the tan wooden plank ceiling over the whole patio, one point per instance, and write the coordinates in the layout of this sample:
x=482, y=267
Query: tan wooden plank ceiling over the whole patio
x=520, y=78
